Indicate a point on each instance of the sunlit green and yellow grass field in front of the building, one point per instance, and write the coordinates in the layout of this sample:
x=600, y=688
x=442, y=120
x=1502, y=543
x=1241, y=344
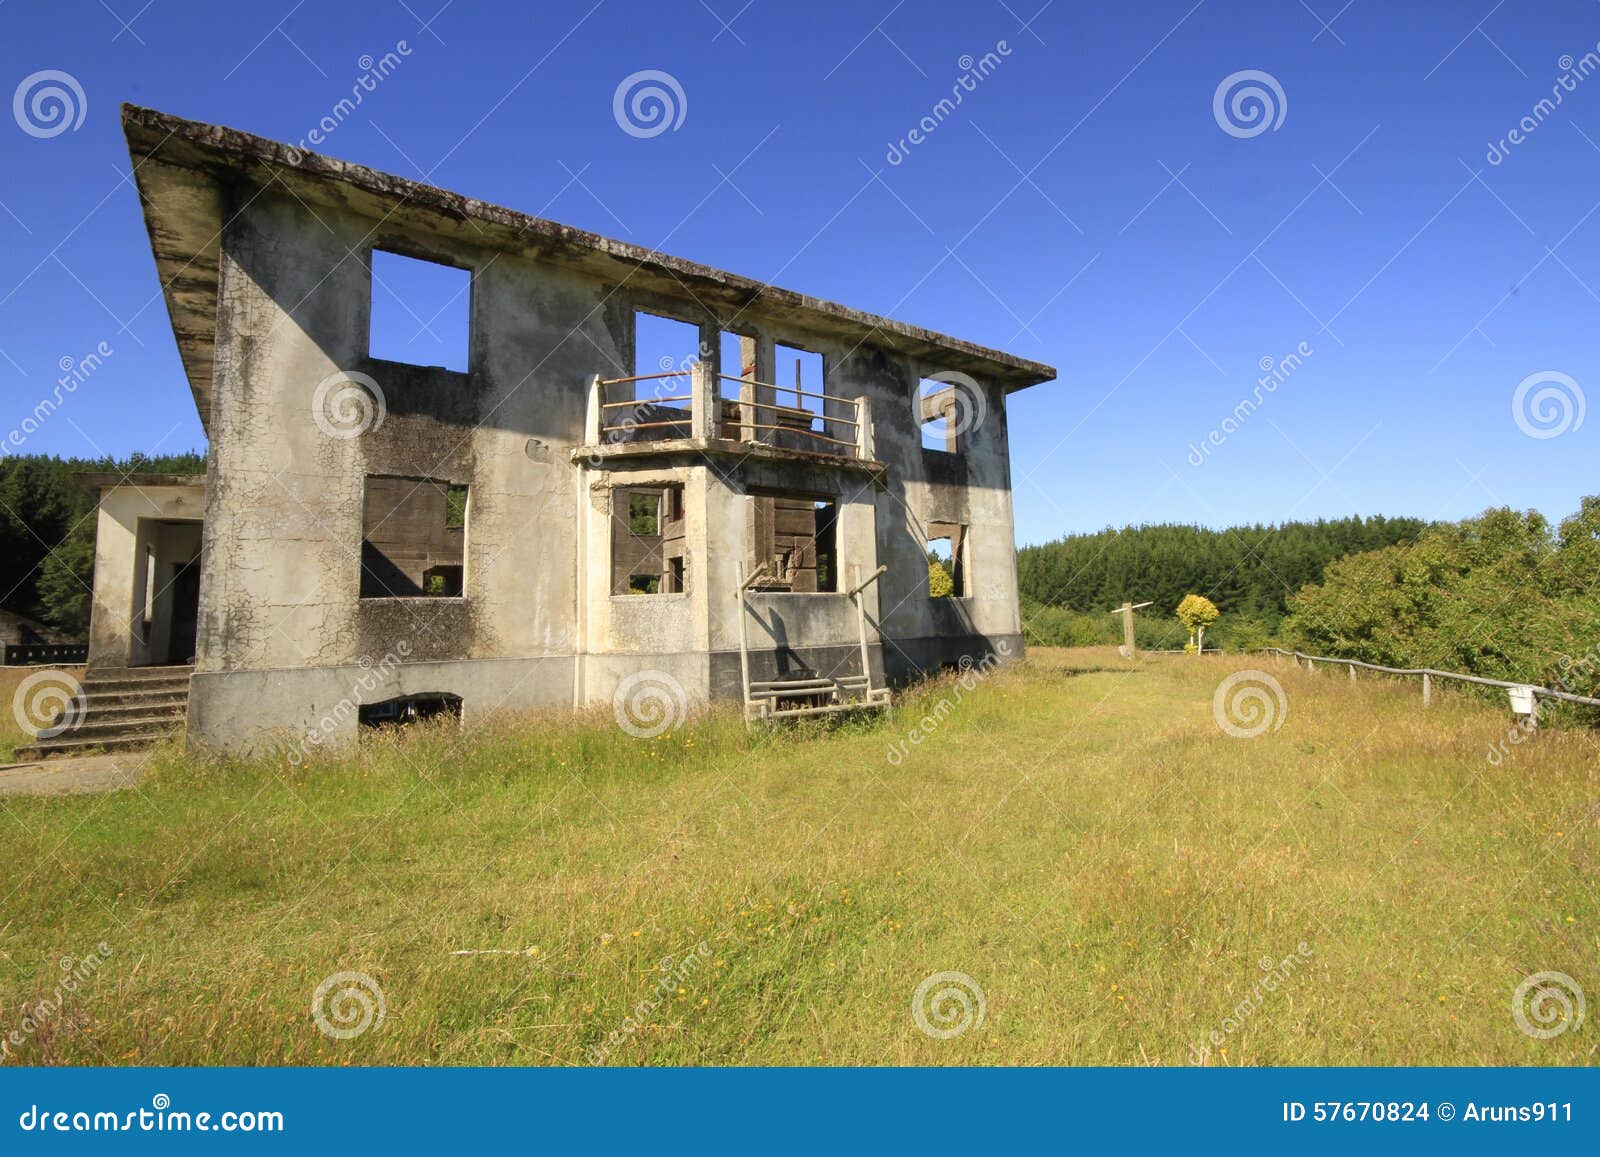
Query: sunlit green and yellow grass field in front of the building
x=1076, y=836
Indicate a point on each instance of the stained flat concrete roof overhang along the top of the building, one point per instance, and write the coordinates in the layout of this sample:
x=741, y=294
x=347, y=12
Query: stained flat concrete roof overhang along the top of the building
x=193, y=178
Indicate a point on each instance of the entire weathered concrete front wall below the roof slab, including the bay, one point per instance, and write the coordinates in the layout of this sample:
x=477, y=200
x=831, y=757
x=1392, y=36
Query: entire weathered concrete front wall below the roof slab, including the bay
x=537, y=623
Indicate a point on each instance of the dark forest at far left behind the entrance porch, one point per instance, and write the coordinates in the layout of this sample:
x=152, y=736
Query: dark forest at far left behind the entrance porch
x=47, y=532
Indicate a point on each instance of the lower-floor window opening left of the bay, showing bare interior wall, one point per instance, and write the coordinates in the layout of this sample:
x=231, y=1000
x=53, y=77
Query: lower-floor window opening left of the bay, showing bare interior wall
x=414, y=538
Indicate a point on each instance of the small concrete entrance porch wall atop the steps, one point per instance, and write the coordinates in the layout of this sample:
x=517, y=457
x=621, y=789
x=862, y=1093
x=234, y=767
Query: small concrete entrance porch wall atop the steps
x=132, y=519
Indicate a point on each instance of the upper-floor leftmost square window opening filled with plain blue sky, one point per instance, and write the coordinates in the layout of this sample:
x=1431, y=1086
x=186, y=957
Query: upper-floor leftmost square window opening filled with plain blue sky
x=420, y=313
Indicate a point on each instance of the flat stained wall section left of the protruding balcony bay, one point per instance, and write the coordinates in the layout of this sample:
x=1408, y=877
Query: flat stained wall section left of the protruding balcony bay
x=284, y=532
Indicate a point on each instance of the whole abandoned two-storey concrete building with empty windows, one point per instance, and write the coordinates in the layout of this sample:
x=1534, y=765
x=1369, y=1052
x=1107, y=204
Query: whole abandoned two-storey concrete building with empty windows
x=553, y=518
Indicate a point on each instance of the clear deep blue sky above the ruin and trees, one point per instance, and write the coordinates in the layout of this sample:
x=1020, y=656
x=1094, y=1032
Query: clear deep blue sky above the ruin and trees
x=1084, y=207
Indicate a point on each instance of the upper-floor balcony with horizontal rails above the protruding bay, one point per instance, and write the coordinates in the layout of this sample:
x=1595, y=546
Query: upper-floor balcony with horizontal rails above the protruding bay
x=698, y=410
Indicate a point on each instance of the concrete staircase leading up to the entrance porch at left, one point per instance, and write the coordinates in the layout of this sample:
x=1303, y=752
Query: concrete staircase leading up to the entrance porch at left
x=129, y=708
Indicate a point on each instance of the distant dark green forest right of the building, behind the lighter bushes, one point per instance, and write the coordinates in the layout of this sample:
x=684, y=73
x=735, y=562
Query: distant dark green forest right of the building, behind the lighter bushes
x=1071, y=585
